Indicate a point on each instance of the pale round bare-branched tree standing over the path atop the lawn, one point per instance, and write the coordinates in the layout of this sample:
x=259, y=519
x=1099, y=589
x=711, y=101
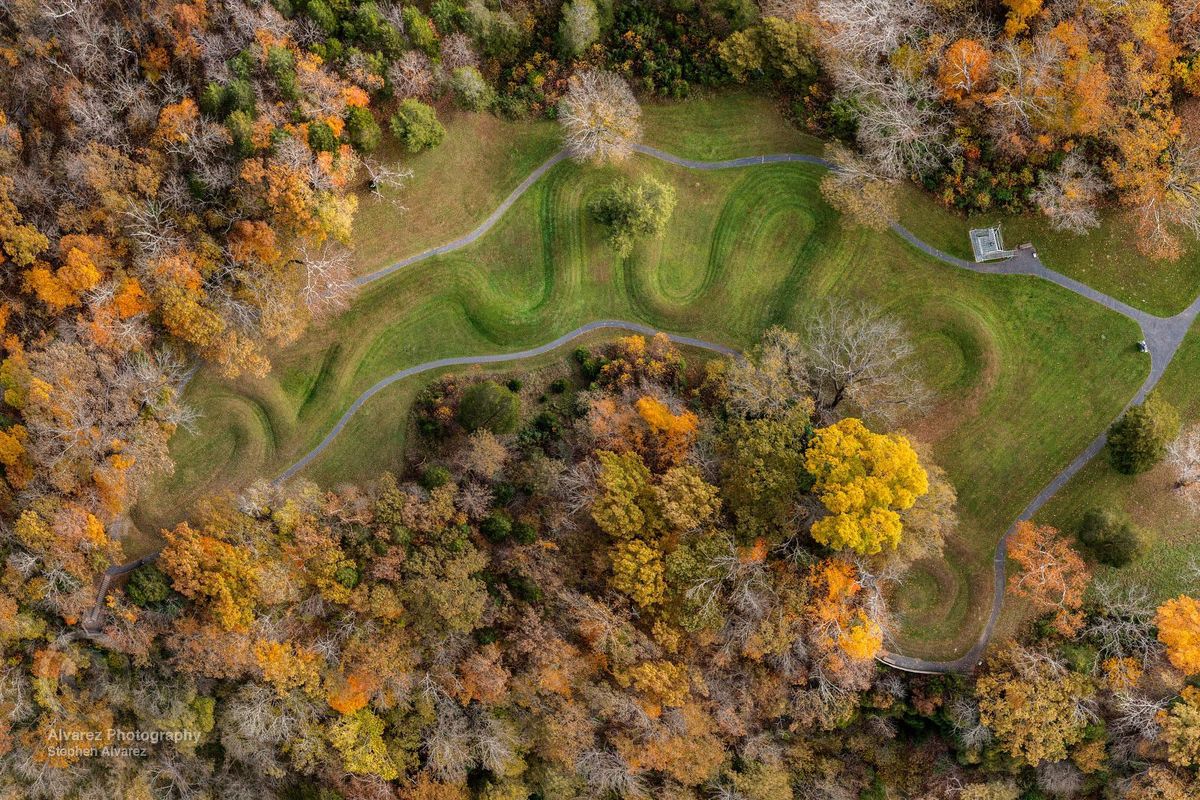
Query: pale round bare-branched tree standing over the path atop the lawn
x=601, y=117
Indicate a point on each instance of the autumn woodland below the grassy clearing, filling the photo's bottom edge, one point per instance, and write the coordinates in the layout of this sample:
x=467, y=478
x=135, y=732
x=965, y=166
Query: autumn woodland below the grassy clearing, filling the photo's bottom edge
x=662, y=580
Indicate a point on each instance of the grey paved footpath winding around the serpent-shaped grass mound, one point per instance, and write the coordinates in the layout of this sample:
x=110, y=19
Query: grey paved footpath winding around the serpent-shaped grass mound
x=1163, y=336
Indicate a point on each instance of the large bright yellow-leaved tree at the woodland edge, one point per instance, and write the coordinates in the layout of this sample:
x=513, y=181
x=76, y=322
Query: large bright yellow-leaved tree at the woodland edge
x=865, y=480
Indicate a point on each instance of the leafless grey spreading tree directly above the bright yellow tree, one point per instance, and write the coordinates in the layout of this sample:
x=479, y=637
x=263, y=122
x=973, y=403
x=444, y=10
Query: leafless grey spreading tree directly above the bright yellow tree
x=860, y=356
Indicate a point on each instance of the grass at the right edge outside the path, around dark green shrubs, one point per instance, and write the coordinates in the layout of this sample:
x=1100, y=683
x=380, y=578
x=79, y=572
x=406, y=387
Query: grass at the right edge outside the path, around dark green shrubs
x=1171, y=528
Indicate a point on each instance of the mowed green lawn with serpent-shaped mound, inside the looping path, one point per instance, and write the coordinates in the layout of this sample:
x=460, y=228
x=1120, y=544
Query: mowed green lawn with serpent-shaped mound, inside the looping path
x=1028, y=372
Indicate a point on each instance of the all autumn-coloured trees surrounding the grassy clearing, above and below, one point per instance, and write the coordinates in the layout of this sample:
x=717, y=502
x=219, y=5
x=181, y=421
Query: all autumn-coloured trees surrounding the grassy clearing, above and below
x=652, y=578
